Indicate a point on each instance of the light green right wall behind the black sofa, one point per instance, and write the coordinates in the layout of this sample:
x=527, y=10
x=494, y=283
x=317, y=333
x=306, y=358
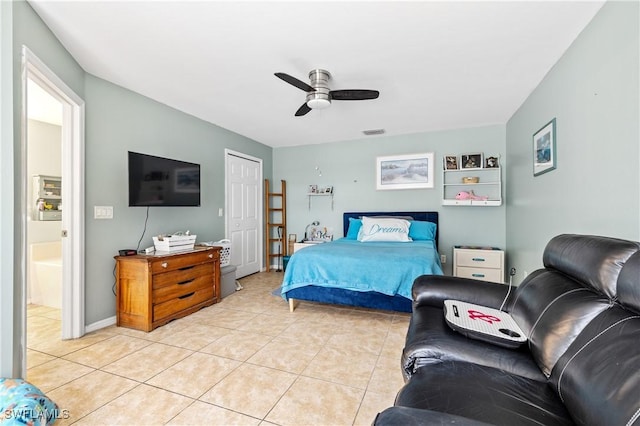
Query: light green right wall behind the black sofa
x=593, y=93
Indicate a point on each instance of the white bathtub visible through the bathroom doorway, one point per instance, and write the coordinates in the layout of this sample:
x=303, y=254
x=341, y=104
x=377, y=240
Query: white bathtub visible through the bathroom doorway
x=45, y=277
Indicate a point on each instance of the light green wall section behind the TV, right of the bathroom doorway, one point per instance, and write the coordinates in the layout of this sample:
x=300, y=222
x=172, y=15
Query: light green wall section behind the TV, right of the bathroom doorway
x=118, y=121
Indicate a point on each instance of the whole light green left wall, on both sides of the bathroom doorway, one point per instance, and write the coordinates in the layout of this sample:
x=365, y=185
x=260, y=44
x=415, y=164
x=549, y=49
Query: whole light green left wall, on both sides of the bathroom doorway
x=117, y=120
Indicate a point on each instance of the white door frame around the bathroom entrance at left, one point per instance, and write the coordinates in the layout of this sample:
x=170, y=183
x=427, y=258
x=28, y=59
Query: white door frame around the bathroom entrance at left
x=71, y=229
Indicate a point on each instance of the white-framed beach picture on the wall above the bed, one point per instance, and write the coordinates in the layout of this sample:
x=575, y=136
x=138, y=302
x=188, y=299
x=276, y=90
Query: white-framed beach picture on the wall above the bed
x=412, y=171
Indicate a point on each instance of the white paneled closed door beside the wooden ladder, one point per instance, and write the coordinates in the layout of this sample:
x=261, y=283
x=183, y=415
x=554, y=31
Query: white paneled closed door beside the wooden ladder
x=244, y=219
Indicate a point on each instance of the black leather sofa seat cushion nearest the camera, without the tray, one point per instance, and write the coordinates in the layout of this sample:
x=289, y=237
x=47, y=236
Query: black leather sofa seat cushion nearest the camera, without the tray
x=483, y=394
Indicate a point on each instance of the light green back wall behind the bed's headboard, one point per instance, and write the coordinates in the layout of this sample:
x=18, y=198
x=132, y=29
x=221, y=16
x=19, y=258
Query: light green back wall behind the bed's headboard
x=349, y=167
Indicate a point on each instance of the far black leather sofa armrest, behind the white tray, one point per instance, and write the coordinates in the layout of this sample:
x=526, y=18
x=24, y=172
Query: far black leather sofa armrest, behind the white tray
x=433, y=290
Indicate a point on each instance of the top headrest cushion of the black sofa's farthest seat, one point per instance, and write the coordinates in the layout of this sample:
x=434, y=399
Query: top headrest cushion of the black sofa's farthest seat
x=593, y=260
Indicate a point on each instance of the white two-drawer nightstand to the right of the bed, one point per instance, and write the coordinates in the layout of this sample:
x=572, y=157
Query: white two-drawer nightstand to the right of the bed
x=480, y=263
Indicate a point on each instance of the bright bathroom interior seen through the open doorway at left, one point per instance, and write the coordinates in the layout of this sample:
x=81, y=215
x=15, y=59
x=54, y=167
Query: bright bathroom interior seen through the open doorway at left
x=43, y=218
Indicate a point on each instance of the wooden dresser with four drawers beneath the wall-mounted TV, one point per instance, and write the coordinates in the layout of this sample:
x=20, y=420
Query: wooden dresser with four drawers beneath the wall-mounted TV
x=152, y=290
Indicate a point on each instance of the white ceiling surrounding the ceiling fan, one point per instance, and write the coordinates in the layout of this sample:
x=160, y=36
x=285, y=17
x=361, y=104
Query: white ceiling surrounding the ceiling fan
x=437, y=65
